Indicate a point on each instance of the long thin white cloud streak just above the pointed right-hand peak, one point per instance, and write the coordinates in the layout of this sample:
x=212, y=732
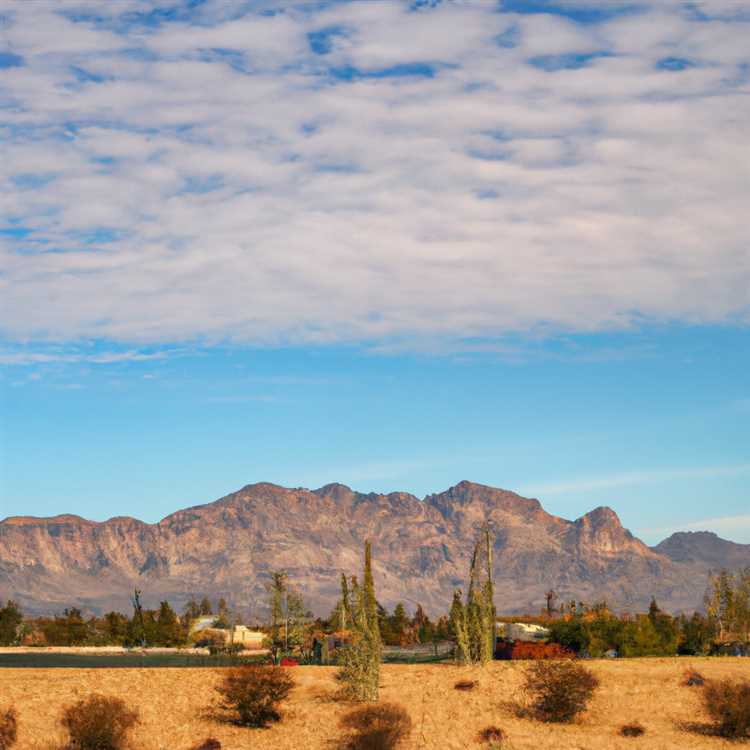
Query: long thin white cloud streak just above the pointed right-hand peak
x=588, y=484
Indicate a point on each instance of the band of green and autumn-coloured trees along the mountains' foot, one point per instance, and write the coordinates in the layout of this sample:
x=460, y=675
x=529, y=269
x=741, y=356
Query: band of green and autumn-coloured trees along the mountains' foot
x=470, y=624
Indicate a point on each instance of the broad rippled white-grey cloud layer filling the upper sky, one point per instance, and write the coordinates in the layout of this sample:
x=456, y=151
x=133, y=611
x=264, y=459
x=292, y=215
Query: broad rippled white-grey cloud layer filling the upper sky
x=371, y=170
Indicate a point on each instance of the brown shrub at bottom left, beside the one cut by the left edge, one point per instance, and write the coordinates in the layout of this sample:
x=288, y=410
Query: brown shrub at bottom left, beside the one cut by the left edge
x=99, y=722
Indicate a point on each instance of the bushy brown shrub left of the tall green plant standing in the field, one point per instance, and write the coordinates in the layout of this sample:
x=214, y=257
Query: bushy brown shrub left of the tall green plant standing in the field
x=252, y=694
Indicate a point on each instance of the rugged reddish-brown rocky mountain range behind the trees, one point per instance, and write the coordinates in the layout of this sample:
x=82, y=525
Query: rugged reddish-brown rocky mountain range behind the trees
x=421, y=549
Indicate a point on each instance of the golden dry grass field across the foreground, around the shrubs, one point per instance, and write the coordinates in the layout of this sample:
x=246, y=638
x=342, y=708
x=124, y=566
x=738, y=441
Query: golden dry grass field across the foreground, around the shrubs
x=171, y=702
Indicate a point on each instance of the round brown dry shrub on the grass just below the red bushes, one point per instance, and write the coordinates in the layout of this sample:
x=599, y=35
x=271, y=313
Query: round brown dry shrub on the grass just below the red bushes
x=558, y=690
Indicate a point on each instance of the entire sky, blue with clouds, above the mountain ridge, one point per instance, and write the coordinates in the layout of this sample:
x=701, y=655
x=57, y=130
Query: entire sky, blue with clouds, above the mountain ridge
x=390, y=244
